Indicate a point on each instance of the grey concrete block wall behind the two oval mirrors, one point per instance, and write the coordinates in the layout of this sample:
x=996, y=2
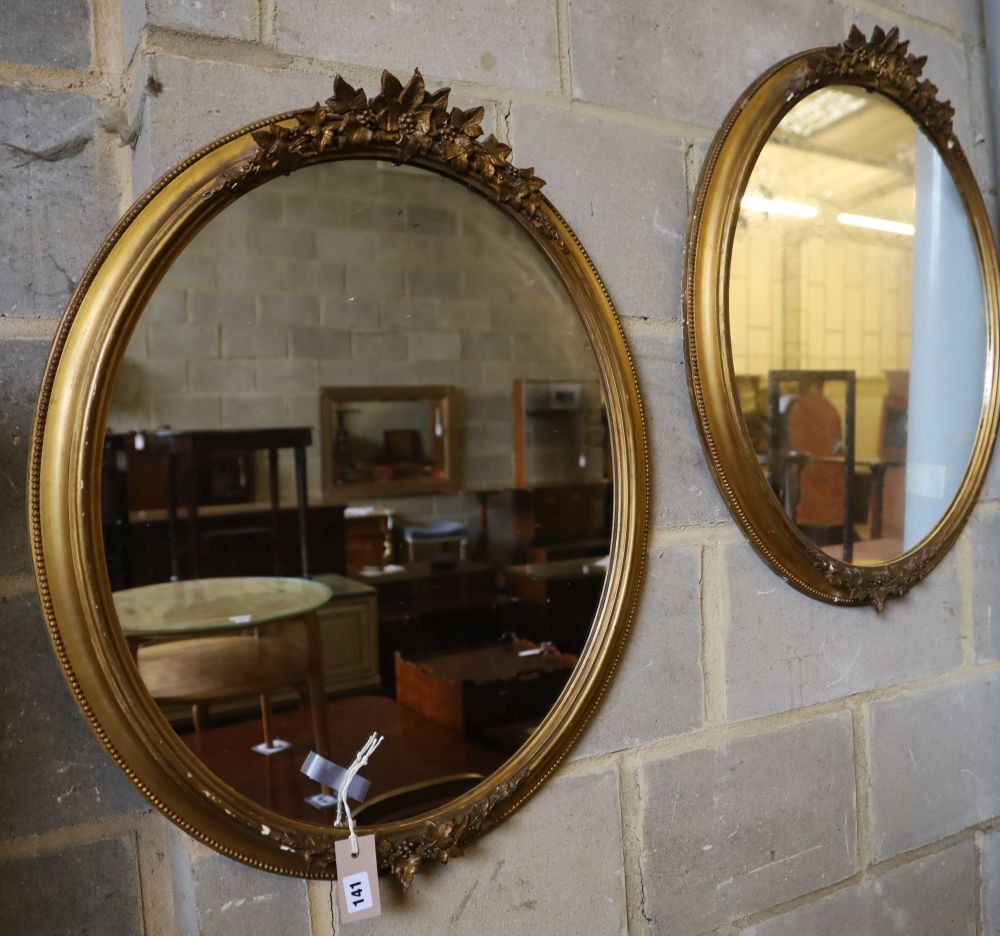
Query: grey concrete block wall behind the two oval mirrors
x=764, y=764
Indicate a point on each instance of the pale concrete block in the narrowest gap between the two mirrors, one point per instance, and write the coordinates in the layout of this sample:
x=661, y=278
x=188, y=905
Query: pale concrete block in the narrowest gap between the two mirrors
x=683, y=489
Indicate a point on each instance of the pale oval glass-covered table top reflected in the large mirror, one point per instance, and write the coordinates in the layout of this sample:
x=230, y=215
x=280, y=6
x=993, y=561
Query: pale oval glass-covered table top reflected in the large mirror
x=216, y=604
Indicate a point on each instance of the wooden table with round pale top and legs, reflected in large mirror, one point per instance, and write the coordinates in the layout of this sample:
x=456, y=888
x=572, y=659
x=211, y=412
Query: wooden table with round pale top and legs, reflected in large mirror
x=221, y=664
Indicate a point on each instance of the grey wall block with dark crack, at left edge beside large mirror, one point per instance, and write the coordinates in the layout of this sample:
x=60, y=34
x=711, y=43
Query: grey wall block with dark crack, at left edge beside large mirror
x=57, y=192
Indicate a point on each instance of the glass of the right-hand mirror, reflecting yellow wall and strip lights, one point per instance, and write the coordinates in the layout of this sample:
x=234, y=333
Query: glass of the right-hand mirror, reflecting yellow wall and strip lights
x=857, y=324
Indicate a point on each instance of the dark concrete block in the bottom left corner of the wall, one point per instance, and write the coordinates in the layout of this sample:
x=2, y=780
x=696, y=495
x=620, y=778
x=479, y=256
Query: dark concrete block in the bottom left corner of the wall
x=91, y=888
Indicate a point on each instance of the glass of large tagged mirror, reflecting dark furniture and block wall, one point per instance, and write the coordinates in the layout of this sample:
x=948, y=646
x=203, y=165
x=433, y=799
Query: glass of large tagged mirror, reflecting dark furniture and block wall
x=356, y=479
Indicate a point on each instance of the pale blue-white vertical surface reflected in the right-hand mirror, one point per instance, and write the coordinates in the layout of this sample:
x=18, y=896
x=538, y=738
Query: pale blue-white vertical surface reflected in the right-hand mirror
x=948, y=352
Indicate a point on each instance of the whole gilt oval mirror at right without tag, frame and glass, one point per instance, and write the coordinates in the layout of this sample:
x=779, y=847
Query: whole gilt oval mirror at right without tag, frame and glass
x=841, y=316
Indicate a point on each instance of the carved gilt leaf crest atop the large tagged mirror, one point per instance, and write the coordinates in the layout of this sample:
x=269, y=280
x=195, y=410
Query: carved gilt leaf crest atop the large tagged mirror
x=404, y=122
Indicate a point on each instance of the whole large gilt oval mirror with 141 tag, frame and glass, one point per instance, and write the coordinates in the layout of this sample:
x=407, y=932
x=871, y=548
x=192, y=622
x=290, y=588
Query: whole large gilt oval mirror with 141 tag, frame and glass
x=356, y=450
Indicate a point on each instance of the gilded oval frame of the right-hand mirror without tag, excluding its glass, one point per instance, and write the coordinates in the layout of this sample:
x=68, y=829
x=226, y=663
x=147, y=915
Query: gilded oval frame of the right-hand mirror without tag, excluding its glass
x=884, y=65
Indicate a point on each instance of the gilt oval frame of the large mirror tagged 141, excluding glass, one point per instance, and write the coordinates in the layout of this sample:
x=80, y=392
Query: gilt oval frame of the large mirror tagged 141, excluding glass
x=400, y=125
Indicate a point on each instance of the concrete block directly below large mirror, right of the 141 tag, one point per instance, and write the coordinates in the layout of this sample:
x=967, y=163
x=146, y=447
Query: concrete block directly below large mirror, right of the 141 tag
x=520, y=877
